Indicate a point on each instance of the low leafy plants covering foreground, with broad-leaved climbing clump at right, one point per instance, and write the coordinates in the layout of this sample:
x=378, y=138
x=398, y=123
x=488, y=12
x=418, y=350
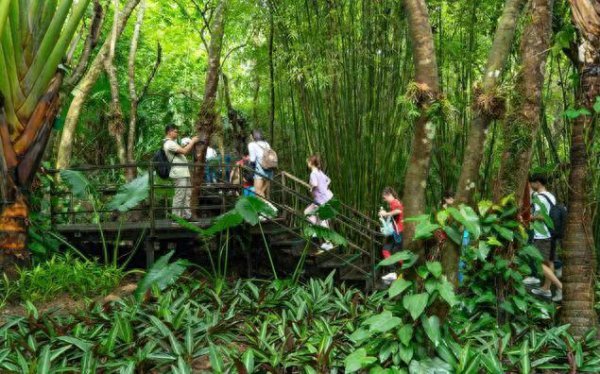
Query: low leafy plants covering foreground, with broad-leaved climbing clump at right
x=418, y=325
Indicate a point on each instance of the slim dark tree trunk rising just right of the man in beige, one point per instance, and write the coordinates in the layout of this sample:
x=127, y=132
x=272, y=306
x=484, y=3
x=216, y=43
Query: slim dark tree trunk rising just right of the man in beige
x=205, y=126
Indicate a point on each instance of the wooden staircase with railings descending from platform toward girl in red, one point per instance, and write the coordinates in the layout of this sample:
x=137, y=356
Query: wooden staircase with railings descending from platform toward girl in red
x=353, y=264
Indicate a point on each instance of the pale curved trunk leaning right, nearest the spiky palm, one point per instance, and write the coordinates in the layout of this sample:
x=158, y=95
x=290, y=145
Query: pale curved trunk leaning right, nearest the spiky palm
x=82, y=92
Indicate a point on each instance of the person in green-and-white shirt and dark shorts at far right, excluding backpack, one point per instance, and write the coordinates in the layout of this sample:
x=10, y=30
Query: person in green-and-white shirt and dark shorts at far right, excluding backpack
x=543, y=201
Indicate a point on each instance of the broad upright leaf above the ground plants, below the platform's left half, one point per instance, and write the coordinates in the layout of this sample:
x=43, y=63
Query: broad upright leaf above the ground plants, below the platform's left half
x=162, y=274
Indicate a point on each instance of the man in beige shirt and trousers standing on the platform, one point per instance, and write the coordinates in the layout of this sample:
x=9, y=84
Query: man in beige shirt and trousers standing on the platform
x=180, y=174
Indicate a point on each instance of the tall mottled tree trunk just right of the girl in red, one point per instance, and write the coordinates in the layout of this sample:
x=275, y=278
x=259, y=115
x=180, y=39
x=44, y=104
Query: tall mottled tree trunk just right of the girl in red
x=427, y=87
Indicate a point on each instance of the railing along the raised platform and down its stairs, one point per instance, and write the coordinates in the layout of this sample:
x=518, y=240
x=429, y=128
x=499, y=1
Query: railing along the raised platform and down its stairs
x=289, y=194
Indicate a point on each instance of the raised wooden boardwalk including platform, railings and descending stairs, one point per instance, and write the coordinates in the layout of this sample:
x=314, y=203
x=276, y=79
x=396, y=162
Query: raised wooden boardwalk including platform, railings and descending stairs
x=285, y=235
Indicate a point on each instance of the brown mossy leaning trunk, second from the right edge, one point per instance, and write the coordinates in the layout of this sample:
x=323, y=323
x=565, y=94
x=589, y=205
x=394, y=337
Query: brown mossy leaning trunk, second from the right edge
x=523, y=122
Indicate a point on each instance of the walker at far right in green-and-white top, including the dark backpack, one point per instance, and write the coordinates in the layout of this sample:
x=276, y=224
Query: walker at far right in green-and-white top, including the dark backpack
x=545, y=206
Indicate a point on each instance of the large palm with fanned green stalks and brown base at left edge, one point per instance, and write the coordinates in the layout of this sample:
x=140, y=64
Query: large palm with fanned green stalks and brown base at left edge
x=34, y=37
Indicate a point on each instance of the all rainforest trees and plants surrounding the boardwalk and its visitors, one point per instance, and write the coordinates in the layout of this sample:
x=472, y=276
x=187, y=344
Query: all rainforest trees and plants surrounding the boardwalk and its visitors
x=466, y=98
